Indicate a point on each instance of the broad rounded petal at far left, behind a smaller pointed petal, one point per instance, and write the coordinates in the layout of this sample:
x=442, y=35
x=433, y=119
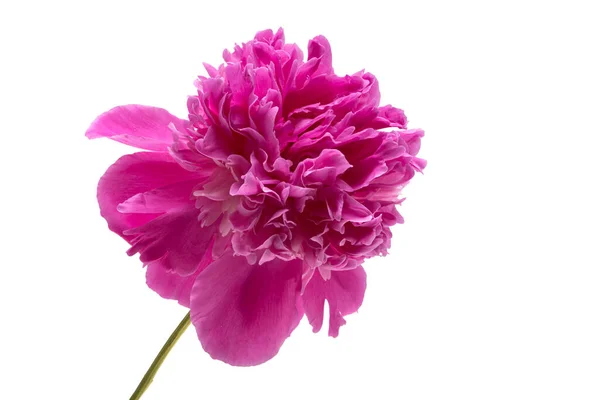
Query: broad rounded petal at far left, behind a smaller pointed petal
x=131, y=175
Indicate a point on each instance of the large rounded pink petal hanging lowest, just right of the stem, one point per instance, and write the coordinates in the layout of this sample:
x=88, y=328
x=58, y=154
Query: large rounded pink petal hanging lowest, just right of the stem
x=243, y=313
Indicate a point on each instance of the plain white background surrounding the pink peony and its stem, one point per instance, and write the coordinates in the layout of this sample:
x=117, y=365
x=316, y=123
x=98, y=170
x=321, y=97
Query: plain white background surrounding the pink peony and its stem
x=492, y=287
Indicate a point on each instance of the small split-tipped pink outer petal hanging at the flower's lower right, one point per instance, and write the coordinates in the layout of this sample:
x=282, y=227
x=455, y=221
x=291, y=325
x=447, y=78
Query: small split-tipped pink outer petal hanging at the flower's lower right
x=344, y=292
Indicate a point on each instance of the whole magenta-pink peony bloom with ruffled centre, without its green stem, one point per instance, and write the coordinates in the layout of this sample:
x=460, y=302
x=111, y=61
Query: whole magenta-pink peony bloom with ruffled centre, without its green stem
x=265, y=202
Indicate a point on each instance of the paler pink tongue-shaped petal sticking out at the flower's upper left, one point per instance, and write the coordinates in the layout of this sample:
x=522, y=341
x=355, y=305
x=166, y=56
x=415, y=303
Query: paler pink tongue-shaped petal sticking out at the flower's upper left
x=136, y=125
